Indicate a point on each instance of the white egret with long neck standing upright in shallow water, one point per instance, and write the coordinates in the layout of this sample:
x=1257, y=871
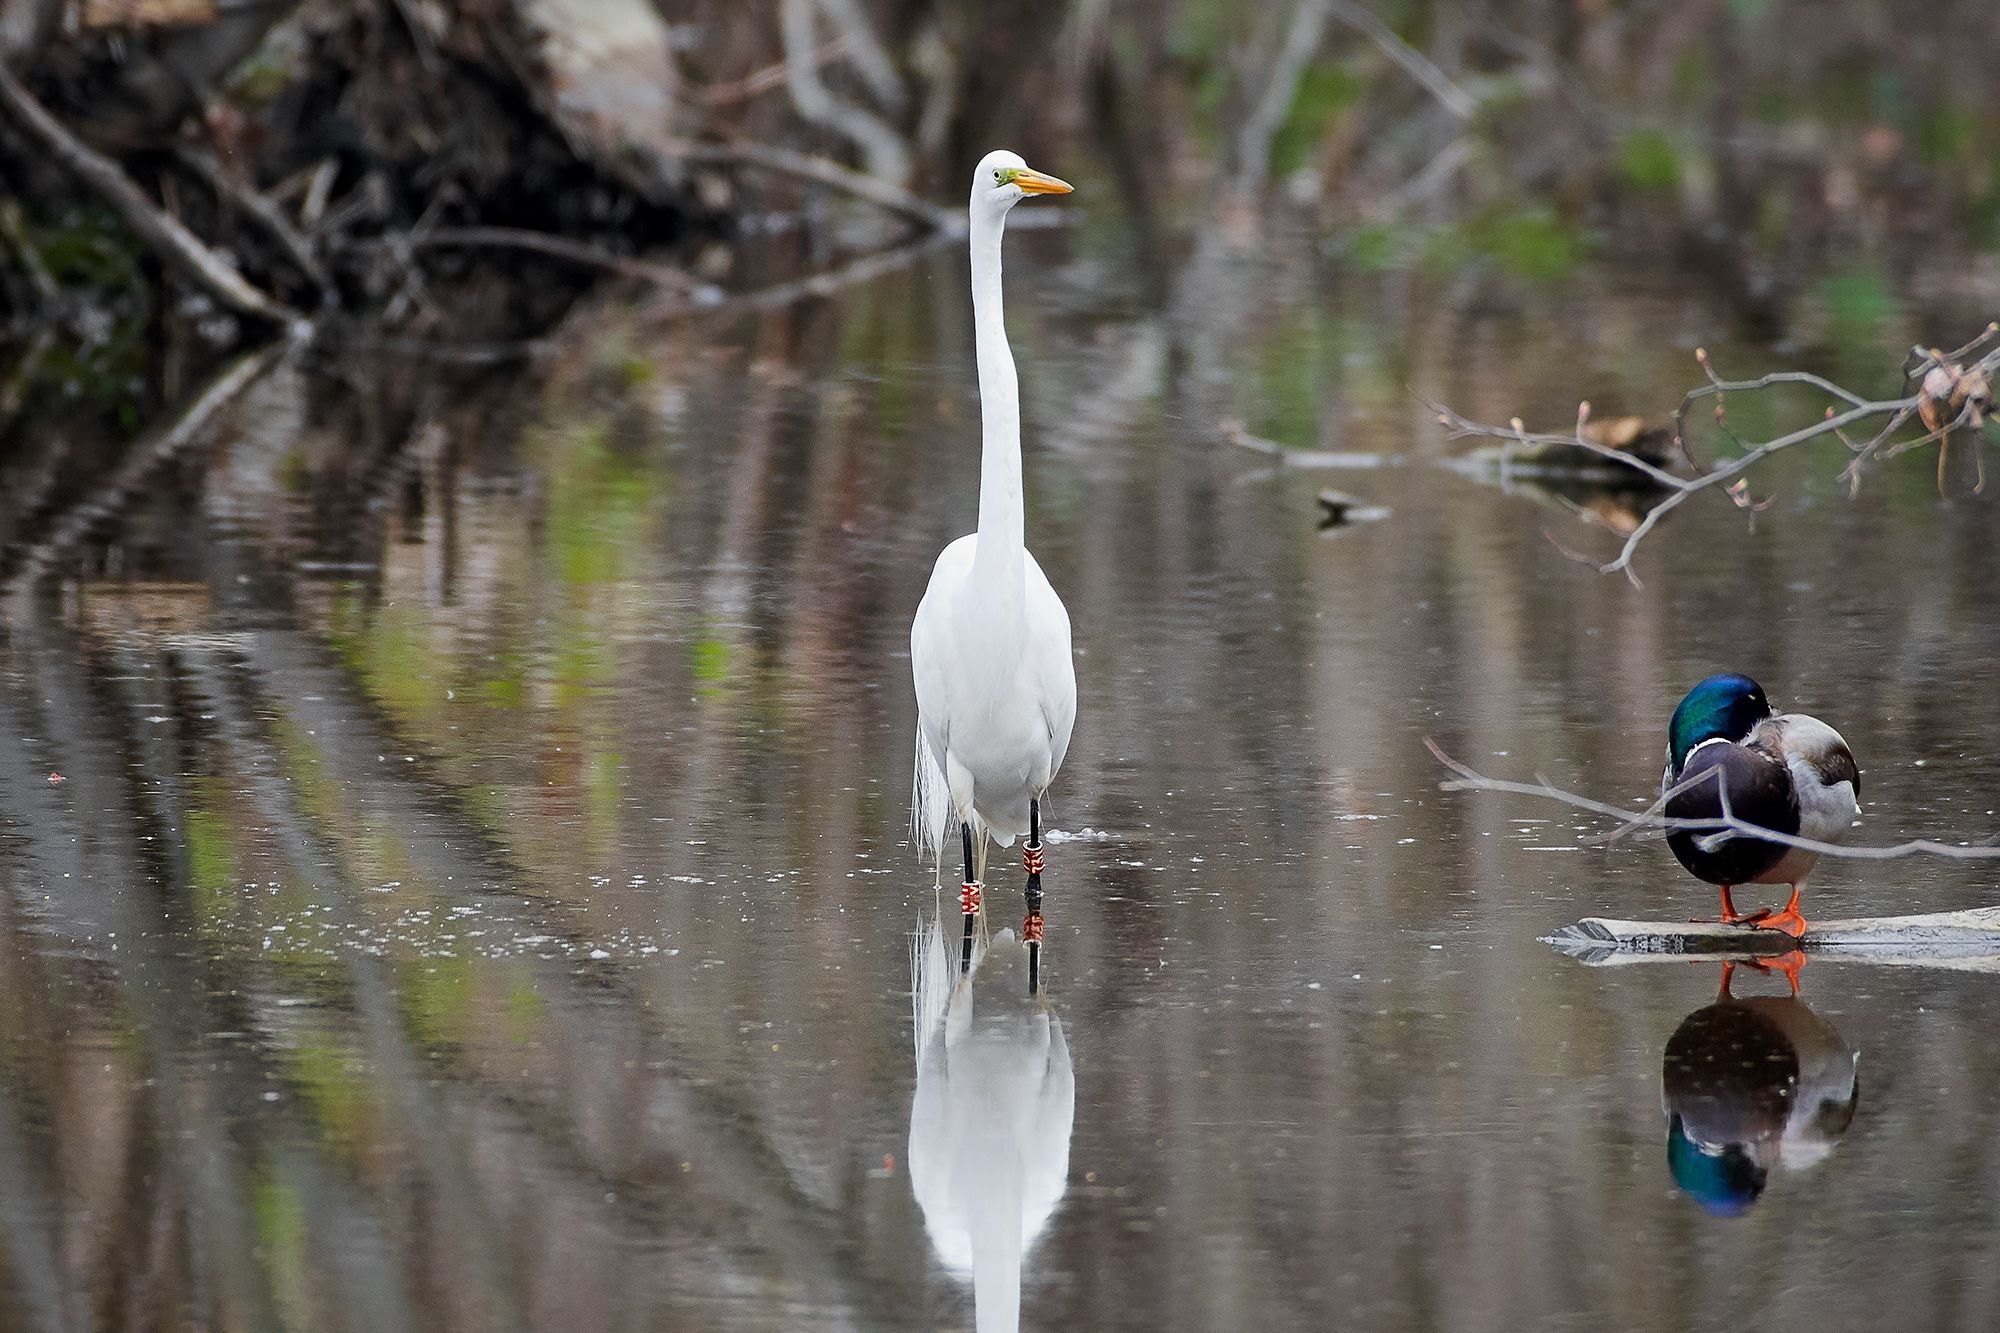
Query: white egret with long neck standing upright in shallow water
x=991, y=643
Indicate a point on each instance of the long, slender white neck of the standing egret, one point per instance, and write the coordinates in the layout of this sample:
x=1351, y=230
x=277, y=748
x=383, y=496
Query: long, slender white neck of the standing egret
x=999, y=557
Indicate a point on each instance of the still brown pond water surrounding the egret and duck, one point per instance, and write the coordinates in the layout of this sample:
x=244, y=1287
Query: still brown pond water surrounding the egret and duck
x=477, y=890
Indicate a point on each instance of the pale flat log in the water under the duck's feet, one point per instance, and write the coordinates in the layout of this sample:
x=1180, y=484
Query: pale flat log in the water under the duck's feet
x=1965, y=940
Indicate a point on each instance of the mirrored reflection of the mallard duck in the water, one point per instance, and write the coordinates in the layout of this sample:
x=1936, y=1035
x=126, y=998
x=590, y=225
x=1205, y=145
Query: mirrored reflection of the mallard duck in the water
x=1753, y=1084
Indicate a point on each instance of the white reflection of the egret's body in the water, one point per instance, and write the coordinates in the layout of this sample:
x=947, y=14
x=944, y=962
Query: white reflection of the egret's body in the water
x=991, y=1120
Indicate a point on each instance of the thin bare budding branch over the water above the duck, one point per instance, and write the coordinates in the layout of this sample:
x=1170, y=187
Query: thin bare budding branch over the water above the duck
x=1953, y=395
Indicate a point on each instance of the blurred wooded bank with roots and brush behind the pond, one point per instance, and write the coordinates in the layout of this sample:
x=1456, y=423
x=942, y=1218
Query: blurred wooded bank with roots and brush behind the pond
x=1849, y=149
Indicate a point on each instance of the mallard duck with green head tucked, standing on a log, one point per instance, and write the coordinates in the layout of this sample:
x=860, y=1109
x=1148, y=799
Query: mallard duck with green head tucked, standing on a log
x=1789, y=774
